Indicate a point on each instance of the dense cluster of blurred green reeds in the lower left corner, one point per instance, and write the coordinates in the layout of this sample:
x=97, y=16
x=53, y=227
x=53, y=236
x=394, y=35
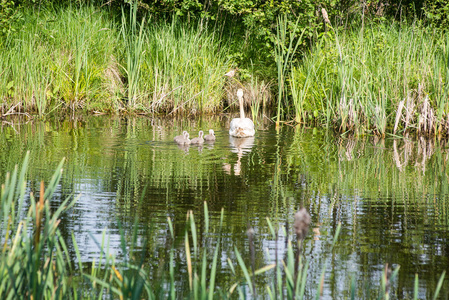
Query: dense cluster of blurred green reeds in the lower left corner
x=34, y=261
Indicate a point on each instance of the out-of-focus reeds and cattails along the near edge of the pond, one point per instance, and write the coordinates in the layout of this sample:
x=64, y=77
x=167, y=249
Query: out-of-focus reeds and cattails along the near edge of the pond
x=35, y=262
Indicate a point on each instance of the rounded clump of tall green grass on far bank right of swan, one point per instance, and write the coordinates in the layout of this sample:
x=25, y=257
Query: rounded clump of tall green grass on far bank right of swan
x=379, y=78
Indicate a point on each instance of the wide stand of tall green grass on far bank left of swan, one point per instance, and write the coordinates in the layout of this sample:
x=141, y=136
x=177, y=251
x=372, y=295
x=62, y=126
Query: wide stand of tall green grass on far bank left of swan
x=68, y=58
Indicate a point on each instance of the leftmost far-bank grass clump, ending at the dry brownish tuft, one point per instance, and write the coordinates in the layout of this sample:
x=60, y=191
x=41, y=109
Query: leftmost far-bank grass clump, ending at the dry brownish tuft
x=60, y=58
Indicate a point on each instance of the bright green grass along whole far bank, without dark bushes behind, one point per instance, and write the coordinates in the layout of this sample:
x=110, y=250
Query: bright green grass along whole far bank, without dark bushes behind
x=378, y=77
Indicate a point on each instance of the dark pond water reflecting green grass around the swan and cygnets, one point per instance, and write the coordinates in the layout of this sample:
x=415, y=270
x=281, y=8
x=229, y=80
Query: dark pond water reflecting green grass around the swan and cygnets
x=391, y=196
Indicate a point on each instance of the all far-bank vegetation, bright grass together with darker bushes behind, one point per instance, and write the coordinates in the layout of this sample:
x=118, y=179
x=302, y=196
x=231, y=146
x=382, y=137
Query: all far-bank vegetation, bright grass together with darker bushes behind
x=357, y=69
